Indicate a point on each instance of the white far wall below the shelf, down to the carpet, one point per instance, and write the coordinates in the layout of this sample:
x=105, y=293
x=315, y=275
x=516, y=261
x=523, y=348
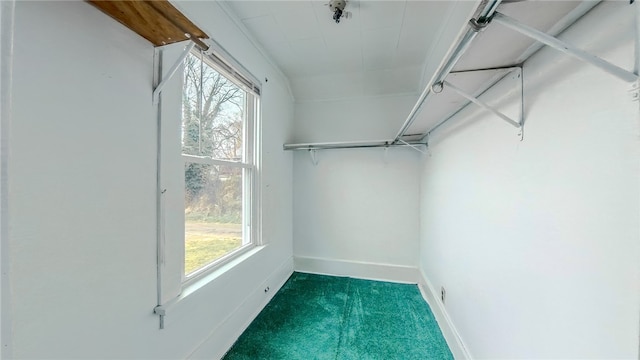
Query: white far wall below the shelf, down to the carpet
x=355, y=213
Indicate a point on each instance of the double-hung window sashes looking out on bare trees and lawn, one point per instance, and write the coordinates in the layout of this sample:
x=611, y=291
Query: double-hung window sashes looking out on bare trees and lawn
x=219, y=110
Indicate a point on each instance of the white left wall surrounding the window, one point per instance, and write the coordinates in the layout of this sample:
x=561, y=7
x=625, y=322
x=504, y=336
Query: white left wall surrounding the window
x=82, y=175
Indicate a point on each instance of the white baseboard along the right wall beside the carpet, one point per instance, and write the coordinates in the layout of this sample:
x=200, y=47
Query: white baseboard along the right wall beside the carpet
x=449, y=330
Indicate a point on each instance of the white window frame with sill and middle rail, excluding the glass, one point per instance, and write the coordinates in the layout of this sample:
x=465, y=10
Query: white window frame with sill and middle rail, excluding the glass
x=172, y=280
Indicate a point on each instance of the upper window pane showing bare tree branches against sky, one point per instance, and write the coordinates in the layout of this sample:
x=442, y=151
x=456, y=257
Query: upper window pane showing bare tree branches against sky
x=213, y=111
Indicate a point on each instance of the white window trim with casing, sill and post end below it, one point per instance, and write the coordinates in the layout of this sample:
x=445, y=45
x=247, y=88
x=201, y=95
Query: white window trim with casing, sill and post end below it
x=172, y=286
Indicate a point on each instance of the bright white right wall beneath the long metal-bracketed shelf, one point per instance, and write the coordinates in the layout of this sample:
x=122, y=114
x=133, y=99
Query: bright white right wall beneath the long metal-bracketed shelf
x=537, y=242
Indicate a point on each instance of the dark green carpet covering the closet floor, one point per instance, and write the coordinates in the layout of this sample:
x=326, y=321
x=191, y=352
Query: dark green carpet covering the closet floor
x=328, y=317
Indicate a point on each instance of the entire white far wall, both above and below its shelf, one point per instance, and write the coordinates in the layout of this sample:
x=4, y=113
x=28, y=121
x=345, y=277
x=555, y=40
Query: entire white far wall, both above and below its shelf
x=355, y=212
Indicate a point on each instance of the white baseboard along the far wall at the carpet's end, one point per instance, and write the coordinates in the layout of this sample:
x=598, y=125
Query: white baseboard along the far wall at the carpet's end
x=356, y=269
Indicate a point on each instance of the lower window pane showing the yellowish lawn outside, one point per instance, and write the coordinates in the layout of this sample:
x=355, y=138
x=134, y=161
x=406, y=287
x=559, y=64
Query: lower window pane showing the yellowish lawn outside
x=213, y=213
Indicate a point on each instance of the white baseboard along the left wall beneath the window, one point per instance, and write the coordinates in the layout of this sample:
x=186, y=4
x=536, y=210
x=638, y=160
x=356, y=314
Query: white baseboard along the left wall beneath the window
x=221, y=339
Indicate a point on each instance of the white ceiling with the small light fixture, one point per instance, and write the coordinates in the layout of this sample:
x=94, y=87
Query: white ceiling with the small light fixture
x=380, y=50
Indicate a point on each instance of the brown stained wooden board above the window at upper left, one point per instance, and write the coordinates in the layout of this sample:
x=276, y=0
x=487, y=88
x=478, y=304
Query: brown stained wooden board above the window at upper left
x=155, y=20
